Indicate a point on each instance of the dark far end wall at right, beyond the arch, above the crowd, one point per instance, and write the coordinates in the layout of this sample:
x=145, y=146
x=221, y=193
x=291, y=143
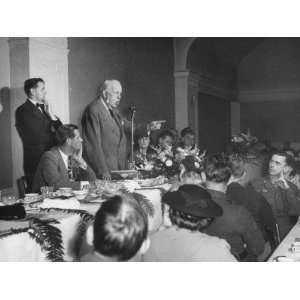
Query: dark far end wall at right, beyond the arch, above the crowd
x=269, y=90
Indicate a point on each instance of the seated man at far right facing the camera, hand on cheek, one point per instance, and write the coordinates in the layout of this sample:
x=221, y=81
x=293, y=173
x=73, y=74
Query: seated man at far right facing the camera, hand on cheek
x=281, y=194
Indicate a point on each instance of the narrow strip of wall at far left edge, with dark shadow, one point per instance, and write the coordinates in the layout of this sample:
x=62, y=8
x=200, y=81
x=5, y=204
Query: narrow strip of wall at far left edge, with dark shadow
x=5, y=117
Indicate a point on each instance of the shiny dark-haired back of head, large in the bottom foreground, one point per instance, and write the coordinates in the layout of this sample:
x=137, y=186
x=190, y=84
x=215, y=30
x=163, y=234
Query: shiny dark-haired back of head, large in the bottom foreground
x=120, y=228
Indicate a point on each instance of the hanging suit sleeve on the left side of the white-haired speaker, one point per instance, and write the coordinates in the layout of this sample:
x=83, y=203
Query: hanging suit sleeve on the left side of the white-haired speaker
x=93, y=152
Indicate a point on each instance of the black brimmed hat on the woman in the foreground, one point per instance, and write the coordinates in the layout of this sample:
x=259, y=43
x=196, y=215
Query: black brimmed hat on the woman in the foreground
x=193, y=200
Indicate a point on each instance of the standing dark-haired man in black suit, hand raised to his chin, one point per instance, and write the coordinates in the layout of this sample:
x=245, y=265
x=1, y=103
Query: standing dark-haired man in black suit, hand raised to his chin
x=36, y=126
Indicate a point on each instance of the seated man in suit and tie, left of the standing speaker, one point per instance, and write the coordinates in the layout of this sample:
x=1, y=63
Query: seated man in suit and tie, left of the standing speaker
x=63, y=165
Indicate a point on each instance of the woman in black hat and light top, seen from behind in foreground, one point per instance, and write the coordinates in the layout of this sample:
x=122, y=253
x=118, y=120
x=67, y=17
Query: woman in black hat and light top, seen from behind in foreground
x=186, y=212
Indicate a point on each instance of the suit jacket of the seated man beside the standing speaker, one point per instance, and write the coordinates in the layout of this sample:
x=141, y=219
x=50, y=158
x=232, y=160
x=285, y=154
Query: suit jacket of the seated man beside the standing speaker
x=52, y=171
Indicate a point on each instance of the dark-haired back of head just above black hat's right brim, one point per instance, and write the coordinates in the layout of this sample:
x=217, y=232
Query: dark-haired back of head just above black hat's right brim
x=217, y=170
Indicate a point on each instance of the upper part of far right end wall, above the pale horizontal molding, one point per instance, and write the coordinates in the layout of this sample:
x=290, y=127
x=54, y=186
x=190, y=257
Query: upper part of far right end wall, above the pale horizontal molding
x=273, y=64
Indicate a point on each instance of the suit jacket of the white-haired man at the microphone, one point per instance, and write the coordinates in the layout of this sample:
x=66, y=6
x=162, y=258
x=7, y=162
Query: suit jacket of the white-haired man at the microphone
x=104, y=138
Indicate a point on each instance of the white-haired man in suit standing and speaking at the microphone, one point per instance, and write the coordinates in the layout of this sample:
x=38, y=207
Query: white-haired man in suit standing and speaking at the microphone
x=103, y=131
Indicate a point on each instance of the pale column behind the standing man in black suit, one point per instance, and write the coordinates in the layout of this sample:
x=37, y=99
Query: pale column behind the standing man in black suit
x=37, y=57
